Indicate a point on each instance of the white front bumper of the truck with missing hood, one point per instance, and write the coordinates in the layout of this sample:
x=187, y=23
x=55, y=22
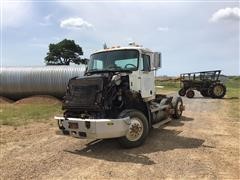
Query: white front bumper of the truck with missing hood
x=94, y=128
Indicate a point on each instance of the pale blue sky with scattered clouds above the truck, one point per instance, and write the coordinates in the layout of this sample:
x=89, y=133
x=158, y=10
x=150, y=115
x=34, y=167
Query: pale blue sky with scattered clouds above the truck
x=192, y=36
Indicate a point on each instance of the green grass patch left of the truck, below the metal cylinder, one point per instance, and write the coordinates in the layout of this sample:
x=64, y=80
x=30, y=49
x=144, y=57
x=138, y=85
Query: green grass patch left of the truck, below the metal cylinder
x=15, y=115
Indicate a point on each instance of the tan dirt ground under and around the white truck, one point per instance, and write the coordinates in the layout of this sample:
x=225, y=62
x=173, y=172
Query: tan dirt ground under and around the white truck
x=203, y=144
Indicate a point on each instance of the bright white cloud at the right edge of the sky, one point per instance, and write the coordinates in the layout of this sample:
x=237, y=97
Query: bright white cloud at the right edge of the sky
x=232, y=14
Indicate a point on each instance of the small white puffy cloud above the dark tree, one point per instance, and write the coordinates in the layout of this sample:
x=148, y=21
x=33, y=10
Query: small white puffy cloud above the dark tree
x=75, y=23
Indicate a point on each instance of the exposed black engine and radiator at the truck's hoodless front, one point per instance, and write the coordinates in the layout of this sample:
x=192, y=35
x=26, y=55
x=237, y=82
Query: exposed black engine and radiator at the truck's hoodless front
x=98, y=96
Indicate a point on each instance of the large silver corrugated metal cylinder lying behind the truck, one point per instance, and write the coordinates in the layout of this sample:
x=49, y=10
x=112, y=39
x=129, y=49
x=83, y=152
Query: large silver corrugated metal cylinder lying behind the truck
x=19, y=82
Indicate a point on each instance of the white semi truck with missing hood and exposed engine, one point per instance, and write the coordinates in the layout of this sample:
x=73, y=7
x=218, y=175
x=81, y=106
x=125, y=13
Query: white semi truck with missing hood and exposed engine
x=116, y=97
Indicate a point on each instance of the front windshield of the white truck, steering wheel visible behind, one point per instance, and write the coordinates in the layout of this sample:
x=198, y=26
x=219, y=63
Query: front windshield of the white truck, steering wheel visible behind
x=117, y=60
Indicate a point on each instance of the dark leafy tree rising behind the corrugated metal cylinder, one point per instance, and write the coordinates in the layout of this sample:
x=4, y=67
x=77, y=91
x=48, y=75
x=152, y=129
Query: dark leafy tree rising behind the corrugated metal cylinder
x=63, y=53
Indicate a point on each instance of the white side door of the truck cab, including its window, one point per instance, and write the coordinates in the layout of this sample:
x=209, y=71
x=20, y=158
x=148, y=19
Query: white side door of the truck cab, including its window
x=147, y=78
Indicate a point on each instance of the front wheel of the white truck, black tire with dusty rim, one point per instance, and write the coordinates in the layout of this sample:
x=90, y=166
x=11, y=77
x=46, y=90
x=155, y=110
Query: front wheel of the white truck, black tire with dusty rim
x=138, y=129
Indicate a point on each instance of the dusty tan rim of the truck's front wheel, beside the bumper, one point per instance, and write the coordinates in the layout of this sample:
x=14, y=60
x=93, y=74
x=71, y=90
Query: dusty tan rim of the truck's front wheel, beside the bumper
x=135, y=130
